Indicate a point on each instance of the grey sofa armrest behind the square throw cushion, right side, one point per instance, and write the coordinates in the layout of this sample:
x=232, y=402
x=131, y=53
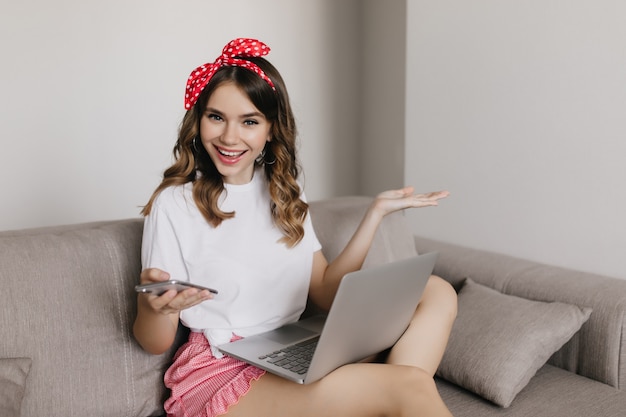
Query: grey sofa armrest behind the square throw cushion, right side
x=598, y=350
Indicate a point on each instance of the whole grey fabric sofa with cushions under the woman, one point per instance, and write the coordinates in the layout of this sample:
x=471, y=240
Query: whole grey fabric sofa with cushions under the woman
x=68, y=305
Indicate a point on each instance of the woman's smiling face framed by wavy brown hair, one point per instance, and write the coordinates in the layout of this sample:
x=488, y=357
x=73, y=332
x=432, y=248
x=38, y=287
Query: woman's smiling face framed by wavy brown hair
x=234, y=132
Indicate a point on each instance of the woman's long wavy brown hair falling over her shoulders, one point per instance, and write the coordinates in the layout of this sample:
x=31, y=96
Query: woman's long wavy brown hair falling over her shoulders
x=288, y=210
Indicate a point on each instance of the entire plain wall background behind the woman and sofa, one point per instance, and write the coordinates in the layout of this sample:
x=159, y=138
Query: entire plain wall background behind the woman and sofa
x=516, y=107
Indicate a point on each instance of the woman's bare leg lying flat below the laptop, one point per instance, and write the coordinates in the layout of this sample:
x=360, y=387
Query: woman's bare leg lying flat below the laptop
x=361, y=390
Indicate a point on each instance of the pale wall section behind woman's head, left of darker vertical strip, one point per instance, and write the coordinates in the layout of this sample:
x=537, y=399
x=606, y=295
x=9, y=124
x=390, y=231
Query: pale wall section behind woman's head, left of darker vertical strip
x=92, y=96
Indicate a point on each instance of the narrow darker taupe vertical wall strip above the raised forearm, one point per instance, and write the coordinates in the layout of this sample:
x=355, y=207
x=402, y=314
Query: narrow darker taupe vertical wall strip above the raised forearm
x=382, y=76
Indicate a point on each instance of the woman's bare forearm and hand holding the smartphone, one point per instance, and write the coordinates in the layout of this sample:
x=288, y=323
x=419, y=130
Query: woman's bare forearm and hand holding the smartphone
x=157, y=316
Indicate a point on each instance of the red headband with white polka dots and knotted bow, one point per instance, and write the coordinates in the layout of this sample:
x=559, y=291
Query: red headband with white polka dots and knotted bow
x=241, y=48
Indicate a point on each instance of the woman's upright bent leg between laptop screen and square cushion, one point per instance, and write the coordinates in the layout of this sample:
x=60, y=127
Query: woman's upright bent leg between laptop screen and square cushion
x=423, y=343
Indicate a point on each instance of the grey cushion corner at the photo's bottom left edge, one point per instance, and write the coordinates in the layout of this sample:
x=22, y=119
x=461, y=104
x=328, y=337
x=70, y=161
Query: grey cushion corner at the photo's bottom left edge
x=13, y=373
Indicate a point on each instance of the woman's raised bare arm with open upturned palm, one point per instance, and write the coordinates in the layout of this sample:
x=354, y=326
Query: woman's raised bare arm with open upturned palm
x=325, y=277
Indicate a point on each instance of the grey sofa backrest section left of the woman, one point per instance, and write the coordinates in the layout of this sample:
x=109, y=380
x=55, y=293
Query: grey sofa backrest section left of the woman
x=68, y=304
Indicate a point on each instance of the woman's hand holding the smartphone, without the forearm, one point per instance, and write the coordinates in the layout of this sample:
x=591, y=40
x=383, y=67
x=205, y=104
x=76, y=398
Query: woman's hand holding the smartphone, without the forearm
x=170, y=302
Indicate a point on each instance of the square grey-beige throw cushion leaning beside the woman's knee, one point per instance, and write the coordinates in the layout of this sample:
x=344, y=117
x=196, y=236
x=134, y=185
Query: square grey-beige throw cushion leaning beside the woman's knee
x=499, y=341
